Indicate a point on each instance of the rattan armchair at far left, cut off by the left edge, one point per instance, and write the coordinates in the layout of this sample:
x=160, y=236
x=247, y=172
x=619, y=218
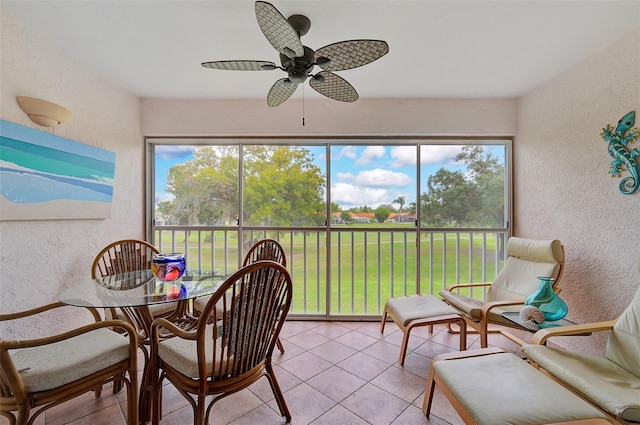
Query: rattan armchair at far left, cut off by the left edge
x=40, y=373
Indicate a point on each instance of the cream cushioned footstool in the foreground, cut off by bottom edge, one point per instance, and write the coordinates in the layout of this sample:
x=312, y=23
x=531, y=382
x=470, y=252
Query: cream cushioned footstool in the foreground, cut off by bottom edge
x=494, y=387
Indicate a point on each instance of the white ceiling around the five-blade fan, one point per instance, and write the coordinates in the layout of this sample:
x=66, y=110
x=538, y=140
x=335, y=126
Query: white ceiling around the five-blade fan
x=437, y=49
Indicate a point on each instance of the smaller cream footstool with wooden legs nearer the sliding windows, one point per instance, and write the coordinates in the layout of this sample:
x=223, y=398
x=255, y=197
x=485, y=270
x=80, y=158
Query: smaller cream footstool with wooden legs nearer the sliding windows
x=421, y=310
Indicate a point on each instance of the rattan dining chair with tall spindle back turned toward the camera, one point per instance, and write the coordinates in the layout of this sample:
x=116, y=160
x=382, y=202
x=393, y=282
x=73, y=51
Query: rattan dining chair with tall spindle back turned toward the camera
x=231, y=345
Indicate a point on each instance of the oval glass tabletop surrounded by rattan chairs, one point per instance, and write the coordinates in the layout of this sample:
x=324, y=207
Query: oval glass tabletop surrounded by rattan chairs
x=140, y=288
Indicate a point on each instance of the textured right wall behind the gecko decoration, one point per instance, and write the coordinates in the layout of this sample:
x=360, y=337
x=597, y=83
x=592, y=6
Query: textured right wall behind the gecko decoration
x=562, y=185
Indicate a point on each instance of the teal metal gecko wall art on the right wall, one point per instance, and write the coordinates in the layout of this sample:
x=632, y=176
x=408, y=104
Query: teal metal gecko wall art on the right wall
x=617, y=139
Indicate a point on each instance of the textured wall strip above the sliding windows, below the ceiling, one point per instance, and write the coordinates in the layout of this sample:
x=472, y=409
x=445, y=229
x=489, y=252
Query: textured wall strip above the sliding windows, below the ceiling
x=381, y=117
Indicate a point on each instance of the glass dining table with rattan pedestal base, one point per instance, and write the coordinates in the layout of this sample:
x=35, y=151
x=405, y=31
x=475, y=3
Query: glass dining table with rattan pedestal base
x=135, y=294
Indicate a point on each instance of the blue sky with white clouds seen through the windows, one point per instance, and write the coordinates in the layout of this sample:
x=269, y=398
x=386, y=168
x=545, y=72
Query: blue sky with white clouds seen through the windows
x=369, y=175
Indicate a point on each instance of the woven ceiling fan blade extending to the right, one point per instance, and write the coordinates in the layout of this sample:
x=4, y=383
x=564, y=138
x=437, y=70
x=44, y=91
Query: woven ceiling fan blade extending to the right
x=350, y=54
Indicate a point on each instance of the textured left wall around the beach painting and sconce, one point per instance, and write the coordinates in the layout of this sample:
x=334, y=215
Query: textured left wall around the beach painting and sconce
x=40, y=258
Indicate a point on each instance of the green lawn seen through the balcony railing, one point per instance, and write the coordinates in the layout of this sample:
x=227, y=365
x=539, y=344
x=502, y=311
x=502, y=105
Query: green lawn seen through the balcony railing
x=366, y=267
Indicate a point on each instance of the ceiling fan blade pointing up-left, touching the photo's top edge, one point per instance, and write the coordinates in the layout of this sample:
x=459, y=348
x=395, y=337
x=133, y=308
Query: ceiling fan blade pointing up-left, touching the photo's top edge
x=278, y=30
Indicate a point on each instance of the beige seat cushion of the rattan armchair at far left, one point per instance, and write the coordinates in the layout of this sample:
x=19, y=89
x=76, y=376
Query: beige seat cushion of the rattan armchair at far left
x=53, y=365
